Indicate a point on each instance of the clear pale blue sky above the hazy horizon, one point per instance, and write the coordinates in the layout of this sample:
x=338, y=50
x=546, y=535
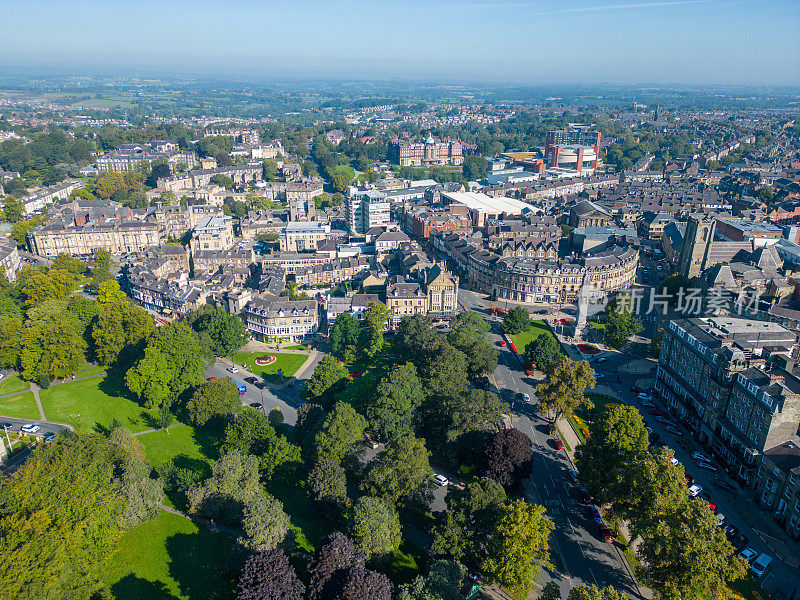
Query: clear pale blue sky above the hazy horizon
x=553, y=41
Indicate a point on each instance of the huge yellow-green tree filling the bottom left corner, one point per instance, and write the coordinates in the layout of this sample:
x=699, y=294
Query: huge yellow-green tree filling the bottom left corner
x=63, y=493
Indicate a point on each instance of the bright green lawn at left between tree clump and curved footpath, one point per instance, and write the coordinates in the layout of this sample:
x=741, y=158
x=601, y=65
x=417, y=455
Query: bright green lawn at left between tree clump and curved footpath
x=92, y=404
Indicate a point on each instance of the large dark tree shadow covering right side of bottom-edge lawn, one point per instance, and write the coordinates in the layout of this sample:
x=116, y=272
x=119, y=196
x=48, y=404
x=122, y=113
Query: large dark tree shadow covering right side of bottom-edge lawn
x=197, y=562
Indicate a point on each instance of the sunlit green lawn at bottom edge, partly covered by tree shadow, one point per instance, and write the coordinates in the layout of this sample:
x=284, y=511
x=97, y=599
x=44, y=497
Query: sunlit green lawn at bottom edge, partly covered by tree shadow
x=171, y=558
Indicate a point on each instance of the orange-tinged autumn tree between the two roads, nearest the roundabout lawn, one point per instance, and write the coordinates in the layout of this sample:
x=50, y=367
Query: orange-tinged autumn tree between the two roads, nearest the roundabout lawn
x=562, y=391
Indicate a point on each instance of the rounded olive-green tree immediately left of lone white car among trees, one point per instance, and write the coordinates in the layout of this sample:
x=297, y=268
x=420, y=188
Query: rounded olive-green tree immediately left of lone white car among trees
x=399, y=471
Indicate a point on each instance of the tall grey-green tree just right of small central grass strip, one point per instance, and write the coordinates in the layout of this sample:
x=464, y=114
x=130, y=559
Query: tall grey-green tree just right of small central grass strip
x=398, y=397
